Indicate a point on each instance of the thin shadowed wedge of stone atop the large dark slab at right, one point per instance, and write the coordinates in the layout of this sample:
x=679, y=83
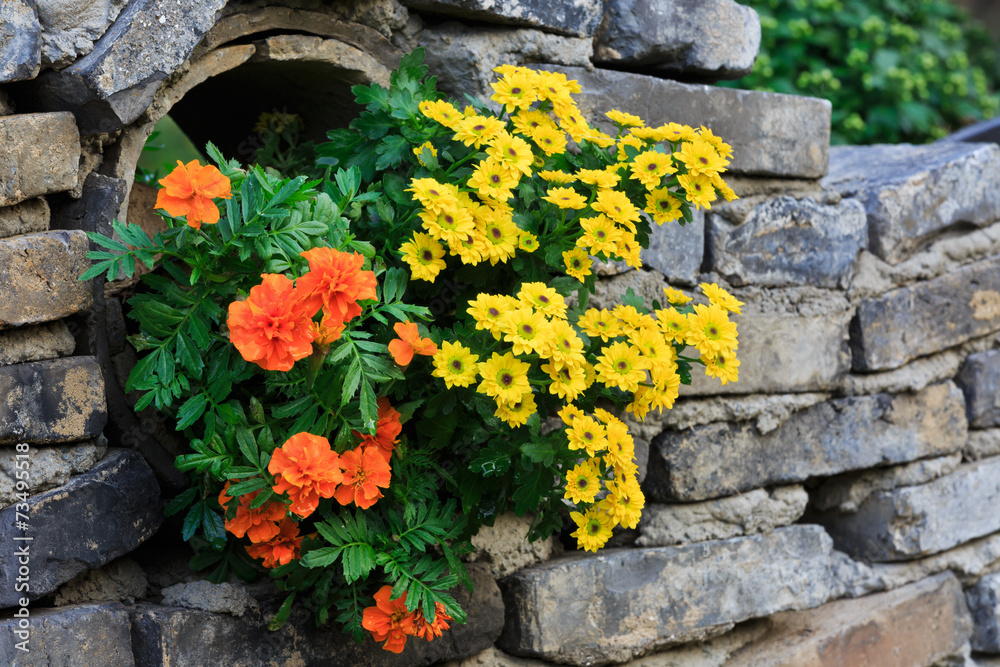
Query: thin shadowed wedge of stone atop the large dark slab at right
x=847, y=492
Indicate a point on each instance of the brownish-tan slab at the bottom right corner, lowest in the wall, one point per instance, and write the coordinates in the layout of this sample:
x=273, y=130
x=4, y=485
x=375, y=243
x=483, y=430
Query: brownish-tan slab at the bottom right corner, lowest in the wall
x=878, y=630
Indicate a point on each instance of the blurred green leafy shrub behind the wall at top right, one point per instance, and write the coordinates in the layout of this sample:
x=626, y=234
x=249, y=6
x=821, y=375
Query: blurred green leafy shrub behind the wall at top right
x=895, y=70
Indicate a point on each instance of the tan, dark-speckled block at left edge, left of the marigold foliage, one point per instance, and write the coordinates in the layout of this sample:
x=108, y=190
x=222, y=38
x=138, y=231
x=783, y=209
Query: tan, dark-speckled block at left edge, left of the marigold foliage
x=39, y=277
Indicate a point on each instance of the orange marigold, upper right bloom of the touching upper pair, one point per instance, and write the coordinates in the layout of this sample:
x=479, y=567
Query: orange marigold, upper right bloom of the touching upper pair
x=336, y=282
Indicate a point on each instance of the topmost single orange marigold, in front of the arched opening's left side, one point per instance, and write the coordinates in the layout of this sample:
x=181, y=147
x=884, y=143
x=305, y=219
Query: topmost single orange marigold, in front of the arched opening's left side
x=189, y=190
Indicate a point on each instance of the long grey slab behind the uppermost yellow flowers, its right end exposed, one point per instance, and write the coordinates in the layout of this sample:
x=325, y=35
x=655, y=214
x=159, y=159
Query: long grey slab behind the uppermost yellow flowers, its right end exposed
x=771, y=134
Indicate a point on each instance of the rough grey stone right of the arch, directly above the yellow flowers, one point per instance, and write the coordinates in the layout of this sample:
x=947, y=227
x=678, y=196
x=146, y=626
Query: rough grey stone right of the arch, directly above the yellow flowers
x=463, y=57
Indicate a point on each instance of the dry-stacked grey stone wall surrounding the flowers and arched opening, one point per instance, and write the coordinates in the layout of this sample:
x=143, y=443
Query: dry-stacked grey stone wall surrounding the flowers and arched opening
x=836, y=506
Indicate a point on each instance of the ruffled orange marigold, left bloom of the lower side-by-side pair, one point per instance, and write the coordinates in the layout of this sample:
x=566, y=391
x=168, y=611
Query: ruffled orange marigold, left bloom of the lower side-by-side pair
x=309, y=470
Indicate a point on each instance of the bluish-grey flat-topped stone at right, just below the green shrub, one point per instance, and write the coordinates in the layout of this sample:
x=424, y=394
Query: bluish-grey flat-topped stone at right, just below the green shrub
x=913, y=193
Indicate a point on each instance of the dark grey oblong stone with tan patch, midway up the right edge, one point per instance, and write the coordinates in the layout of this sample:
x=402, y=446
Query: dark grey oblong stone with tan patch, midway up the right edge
x=927, y=317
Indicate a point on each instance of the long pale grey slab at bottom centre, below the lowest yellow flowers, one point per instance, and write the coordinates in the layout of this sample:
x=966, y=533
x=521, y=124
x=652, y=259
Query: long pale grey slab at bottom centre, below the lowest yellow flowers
x=621, y=604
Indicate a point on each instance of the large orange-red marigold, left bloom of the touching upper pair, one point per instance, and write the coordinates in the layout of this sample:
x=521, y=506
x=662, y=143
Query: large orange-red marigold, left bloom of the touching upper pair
x=272, y=328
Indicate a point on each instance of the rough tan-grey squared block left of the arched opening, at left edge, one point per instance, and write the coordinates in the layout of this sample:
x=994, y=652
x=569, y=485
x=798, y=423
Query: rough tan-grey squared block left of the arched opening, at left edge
x=39, y=154
